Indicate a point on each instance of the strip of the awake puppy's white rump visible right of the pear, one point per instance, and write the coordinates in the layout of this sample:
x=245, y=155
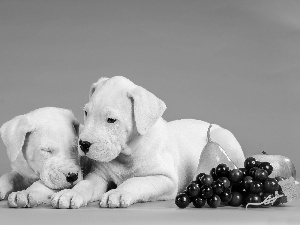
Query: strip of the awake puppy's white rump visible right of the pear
x=229, y=143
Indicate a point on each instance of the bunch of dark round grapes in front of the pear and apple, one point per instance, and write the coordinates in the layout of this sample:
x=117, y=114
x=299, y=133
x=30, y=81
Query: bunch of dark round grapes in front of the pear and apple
x=235, y=187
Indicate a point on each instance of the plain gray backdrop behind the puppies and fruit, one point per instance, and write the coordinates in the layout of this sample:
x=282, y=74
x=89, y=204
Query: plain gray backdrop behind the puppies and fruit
x=234, y=63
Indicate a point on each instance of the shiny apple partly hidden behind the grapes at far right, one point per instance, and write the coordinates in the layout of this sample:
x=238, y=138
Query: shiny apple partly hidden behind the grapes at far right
x=282, y=166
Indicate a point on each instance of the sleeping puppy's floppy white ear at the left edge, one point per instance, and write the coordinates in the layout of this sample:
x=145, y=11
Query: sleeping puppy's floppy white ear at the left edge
x=13, y=134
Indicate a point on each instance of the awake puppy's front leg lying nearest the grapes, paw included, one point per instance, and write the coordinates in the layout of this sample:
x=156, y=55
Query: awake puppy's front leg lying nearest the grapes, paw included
x=140, y=189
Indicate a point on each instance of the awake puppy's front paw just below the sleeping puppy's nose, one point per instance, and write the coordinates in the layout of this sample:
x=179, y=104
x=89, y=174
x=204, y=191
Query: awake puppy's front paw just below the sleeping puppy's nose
x=67, y=199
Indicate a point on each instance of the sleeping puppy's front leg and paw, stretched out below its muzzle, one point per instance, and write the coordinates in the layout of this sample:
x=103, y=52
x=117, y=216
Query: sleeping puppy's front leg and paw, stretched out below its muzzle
x=33, y=196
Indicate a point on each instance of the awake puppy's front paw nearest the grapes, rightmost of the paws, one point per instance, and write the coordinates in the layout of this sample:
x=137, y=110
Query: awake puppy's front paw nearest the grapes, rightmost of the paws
x=116, y=198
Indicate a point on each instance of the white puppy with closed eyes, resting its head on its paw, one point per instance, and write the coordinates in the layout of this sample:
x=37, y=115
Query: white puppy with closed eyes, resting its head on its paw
x=42, y=148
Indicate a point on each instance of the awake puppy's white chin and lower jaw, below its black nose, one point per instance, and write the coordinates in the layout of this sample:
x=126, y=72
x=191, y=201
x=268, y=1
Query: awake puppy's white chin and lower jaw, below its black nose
x=98, y=153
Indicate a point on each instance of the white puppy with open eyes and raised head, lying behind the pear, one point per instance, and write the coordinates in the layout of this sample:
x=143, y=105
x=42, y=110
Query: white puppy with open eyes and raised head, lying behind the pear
x=147, y=158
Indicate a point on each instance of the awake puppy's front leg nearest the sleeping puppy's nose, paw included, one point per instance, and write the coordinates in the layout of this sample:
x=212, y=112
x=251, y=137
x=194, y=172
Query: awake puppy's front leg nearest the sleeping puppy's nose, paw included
x=88, y=190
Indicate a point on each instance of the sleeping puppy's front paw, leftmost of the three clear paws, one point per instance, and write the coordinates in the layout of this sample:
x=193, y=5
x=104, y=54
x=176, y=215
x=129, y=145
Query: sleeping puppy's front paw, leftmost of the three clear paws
x=23, y=199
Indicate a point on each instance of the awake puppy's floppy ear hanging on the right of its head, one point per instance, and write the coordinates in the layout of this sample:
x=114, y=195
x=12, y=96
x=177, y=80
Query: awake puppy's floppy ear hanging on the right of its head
x=147, y=108
